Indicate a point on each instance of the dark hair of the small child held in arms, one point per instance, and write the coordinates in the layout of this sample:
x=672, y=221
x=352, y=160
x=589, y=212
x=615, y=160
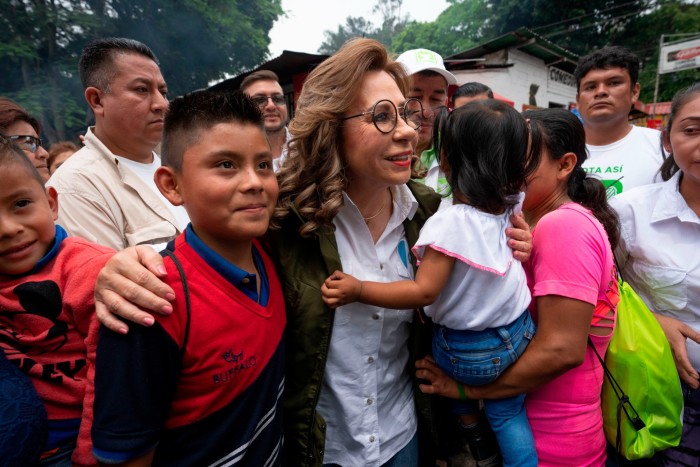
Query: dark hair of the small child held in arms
x=485, y=146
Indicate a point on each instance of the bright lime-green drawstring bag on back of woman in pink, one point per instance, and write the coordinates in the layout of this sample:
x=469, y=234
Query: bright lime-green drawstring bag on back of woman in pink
x=642, y=398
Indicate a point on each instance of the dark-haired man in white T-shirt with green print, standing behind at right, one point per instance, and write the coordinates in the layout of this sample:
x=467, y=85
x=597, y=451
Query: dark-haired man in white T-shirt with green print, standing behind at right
x=621, y=155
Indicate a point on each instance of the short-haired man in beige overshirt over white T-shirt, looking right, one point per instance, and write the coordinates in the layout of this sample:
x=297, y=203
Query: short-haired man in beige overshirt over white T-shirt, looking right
x=106, y=190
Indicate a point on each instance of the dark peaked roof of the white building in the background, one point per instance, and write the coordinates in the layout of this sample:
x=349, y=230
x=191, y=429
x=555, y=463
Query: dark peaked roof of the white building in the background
x=522, y=39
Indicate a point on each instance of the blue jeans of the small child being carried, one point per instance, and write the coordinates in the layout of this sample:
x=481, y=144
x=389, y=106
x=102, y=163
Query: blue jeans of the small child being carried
x=479, y=357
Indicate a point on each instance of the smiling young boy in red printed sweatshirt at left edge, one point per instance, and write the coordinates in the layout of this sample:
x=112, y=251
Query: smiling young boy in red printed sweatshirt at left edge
x=47, y=324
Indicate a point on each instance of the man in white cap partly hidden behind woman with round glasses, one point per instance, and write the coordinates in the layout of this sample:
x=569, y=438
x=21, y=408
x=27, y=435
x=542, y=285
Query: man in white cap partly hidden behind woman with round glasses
x=429, y=83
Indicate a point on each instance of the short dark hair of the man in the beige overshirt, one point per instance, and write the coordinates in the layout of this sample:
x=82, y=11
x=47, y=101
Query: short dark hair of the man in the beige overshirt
x=97, y=59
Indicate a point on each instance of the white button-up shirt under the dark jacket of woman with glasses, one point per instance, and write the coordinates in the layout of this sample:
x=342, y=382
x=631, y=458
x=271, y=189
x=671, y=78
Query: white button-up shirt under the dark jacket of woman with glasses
x=367, y=396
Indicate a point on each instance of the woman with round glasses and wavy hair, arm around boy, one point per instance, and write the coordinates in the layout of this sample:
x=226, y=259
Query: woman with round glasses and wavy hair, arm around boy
x=345, y=202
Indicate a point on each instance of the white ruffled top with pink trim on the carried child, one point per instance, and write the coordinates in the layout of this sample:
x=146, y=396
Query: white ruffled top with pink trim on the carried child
x=487, y=287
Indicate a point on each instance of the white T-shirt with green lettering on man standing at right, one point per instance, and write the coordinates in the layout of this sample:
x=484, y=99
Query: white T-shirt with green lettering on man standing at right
x=630, y=162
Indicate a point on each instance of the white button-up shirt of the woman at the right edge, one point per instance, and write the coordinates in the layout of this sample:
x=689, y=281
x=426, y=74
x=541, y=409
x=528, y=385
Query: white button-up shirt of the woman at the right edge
x=659, y=252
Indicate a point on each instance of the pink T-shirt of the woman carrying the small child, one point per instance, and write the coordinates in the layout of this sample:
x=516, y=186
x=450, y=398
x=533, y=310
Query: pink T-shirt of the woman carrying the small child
x=572, y=258
